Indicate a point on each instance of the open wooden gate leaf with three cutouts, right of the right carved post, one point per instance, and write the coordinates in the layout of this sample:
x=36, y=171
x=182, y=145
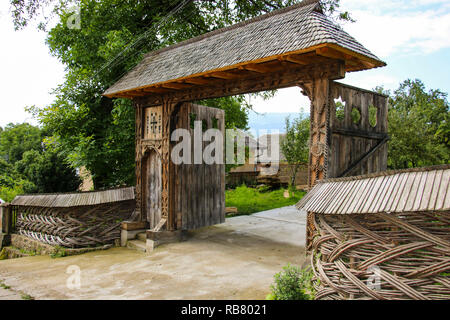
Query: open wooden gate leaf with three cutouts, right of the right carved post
x=358, y=131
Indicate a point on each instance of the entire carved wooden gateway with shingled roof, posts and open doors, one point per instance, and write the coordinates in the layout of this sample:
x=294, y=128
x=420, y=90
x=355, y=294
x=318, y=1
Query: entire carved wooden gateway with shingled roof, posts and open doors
x=294, y=46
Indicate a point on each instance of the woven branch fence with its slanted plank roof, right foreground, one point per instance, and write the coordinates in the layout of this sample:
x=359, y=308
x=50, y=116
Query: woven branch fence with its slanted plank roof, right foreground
x=382, y=236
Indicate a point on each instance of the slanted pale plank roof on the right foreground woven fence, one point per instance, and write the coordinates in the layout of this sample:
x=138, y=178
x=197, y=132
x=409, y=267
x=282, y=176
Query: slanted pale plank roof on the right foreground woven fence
x=413, y=190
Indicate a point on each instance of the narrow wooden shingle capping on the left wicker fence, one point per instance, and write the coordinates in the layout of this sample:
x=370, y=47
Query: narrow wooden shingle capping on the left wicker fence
x=63, y=200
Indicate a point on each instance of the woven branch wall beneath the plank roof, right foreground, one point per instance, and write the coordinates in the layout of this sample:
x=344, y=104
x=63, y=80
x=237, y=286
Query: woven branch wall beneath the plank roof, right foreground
x=382, y=256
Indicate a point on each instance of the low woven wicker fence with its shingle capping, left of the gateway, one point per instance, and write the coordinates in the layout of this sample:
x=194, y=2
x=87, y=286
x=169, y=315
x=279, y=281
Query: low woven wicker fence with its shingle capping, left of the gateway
x=74, y=220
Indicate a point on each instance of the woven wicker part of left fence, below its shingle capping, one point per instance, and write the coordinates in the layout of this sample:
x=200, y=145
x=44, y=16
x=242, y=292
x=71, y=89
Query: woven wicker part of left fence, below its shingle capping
x=73, y=227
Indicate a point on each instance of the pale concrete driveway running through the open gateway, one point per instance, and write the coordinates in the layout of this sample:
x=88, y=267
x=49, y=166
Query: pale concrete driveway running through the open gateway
x=234, y=260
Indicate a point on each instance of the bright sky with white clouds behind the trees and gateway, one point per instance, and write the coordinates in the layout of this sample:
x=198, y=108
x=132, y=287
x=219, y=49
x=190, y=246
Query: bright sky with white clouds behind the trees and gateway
x=411, y=36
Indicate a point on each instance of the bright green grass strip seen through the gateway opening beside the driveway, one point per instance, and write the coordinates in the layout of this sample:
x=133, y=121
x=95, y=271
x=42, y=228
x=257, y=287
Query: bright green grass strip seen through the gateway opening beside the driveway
x=251, y=200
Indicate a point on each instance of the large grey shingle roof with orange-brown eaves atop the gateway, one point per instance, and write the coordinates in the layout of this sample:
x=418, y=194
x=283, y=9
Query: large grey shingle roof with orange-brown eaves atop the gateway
x=299, y=29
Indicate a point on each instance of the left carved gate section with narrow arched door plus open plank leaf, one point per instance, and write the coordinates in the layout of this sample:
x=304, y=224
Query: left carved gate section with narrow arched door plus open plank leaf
x=179, y=196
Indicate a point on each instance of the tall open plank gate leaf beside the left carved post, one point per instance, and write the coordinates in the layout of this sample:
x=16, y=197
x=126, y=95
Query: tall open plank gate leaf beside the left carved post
x=199, y=198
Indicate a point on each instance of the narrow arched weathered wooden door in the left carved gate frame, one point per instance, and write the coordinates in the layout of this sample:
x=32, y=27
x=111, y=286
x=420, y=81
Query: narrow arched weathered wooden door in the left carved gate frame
x=153, y=188
